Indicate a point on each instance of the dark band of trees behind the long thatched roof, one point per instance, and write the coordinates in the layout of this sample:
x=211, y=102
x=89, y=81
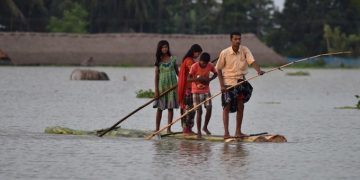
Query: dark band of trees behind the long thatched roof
x=302, y=28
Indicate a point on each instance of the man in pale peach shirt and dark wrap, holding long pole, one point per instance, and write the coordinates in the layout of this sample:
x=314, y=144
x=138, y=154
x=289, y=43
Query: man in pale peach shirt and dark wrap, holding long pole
x=232, y=67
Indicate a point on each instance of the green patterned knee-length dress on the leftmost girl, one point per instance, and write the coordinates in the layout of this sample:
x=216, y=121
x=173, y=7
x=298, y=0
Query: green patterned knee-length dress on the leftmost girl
x=167, y=80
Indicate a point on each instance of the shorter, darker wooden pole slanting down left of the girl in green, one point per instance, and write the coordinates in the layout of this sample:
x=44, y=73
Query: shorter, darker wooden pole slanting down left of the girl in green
x=104, y=131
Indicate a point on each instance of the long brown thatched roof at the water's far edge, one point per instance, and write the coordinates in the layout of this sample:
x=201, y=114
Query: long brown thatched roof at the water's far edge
x=116, y=49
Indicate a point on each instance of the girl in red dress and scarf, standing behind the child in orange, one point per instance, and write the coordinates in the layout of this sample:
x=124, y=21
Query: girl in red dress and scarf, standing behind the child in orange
x=184, y=88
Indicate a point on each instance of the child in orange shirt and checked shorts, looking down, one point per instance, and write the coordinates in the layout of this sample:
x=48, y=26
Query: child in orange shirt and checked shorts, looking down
x=199, y=75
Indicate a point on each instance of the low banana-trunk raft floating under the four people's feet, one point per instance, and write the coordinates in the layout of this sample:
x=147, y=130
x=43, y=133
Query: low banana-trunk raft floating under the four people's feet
x=122, y=132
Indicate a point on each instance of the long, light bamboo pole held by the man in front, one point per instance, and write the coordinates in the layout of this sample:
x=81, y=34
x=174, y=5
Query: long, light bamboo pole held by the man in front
x=277, y=68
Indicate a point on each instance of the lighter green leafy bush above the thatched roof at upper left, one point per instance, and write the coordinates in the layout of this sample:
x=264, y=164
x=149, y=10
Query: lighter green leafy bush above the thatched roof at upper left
x=73, y=21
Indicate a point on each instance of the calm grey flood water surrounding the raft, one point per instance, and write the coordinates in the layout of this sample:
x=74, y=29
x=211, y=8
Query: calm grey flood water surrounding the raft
x=323, y=142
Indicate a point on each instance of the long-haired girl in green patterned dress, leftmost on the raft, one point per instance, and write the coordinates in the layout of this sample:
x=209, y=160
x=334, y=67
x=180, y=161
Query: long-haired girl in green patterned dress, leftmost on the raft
x=166, y=71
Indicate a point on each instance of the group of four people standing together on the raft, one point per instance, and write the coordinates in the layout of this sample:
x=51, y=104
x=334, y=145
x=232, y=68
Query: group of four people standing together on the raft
x=193, y=80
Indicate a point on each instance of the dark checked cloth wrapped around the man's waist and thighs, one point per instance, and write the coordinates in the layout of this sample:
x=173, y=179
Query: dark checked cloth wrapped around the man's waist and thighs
x=241, y=92
